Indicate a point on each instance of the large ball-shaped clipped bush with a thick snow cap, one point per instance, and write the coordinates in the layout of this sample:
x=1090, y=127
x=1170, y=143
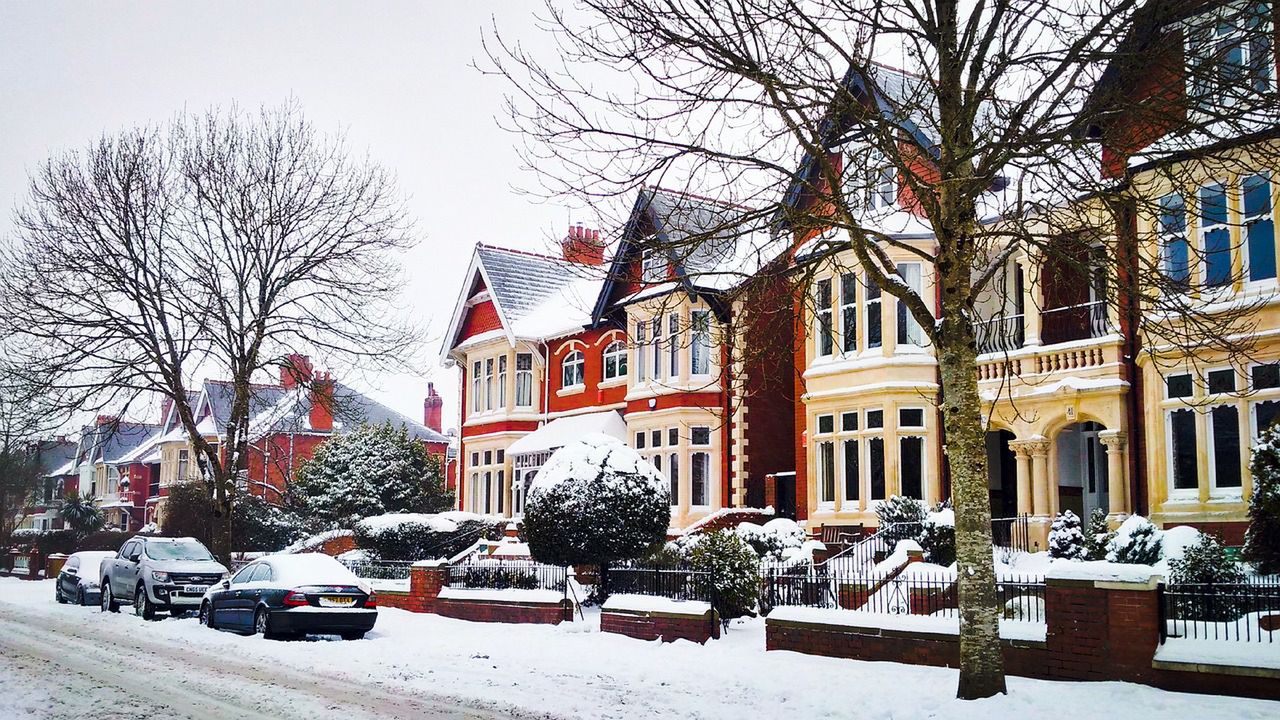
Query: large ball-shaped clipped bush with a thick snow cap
x=596, y=502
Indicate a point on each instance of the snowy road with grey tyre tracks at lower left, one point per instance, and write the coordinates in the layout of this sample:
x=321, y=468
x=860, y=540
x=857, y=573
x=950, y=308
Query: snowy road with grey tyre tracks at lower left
x=61, y=667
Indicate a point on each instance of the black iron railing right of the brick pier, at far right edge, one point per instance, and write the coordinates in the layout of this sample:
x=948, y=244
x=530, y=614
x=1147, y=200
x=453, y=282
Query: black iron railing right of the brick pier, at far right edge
x=1237, y=612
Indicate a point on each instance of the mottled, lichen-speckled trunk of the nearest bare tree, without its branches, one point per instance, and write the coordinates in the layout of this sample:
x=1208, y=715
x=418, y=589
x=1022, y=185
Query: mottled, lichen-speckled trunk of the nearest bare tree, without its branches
x=982, y=667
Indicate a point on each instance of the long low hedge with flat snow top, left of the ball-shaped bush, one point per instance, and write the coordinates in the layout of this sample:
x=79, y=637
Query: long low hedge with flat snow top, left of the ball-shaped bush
x=415, y=536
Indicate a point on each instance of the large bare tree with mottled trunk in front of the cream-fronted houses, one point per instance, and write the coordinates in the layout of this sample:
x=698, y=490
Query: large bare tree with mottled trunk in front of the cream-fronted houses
x=989, y=127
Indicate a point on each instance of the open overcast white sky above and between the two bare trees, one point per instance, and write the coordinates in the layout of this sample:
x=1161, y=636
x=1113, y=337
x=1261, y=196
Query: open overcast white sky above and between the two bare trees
x=396, y=76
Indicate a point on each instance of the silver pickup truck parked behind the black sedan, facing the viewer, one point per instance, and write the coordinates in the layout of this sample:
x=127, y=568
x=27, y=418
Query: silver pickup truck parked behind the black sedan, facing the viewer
x=159, y=575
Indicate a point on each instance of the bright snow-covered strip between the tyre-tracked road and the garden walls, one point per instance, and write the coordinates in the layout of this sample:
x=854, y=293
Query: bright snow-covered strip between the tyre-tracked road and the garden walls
x=573, y=671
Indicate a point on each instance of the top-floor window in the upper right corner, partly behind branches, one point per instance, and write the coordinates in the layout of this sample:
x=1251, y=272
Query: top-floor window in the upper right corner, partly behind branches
x=1229, y=56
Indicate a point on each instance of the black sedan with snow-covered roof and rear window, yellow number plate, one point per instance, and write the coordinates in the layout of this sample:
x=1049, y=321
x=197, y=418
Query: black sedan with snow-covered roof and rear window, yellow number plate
x=284, y=596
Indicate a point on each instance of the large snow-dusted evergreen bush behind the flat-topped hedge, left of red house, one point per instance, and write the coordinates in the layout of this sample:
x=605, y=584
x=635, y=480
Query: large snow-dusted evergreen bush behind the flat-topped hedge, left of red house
x=372, y=471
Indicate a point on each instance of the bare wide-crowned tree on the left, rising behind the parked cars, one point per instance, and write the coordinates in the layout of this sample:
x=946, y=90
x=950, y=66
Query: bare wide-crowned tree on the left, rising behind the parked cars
x=213, y=245
